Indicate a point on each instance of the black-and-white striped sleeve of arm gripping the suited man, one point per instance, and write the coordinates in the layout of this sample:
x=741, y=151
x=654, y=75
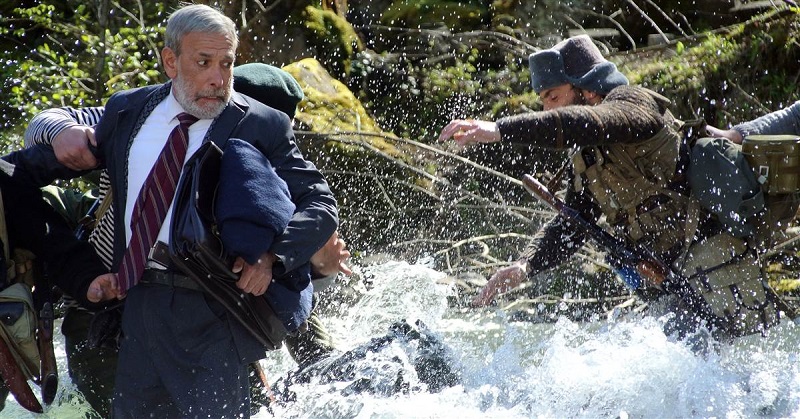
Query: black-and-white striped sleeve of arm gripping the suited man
x=47, y=124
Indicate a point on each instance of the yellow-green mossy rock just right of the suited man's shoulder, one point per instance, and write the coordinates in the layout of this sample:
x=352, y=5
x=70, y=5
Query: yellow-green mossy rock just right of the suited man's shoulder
x=370, y=171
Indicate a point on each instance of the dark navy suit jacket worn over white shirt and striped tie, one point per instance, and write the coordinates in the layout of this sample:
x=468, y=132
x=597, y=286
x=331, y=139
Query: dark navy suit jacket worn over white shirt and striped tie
x=269, y=130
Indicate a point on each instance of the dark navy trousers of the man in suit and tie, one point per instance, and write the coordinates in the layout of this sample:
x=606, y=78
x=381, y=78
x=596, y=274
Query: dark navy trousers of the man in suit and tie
x=178, y=358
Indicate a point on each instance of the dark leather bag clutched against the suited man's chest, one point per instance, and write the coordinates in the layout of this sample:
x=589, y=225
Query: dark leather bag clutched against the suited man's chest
x=196, y=248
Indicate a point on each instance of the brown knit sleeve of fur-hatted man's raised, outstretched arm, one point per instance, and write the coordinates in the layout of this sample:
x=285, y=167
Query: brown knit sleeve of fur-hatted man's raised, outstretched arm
x=627, y=115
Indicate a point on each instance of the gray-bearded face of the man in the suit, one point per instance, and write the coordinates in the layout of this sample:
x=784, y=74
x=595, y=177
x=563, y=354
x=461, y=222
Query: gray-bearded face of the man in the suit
x=202, y=75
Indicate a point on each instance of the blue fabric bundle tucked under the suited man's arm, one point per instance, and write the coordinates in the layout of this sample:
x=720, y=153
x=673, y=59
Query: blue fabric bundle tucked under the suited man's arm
x=253, y=207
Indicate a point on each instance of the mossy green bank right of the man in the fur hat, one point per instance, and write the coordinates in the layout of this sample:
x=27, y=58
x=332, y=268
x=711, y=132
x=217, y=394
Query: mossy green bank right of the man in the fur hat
x=732, y=76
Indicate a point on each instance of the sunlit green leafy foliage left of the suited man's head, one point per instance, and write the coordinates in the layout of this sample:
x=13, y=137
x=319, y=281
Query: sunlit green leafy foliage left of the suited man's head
x=72, y=58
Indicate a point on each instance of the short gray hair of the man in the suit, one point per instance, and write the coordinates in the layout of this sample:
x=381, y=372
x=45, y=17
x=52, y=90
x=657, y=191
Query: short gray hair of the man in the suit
x=197, y=18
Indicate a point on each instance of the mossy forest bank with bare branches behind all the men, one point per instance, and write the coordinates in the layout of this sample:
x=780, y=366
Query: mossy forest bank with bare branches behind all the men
x=408, y=68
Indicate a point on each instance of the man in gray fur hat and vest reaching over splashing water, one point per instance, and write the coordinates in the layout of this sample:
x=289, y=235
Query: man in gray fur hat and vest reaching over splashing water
x=629, y=163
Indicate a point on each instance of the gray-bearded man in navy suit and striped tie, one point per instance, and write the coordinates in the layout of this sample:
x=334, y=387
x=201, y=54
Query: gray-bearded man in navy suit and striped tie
x=182, y=354
